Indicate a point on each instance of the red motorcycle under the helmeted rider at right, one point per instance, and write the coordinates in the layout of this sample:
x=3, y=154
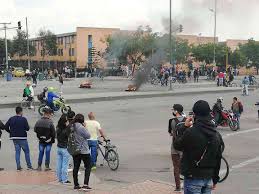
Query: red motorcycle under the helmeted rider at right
x=228, y=119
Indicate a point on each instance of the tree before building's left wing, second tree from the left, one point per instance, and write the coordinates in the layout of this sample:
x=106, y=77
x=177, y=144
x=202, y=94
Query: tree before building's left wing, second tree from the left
x=49, y=45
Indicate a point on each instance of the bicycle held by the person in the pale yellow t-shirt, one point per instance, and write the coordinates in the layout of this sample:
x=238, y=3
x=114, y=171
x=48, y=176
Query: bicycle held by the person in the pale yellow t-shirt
x=109, y=153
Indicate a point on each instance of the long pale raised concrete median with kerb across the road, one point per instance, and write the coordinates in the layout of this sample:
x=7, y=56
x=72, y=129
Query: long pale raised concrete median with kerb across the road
x=9, y=102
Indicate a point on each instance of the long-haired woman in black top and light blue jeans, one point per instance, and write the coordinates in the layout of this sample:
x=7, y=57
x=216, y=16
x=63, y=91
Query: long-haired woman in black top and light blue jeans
x=63, y=130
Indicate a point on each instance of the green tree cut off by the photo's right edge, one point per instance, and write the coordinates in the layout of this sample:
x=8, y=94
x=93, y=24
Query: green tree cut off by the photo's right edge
x=251, y=52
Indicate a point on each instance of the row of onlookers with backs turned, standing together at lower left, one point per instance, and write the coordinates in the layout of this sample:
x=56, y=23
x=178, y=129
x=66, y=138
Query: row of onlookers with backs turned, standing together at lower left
x=72, y=131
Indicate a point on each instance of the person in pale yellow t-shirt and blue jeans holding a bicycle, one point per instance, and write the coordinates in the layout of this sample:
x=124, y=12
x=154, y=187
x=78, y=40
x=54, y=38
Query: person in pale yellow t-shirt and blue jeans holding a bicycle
x=94, y=129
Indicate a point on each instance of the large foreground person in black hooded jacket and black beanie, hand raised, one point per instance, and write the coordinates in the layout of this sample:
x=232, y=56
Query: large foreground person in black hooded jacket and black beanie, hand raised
x=202, y=148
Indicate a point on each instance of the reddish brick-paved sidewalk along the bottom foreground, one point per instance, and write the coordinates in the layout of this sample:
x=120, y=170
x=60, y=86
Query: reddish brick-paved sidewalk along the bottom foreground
x=31, y=182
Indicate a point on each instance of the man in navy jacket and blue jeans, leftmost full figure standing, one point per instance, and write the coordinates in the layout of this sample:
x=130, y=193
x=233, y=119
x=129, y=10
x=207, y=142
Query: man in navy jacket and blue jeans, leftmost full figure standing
x=17, y=126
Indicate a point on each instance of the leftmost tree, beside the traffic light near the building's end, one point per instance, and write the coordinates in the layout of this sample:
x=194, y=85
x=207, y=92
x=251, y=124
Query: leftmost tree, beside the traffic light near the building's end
x=19, y=45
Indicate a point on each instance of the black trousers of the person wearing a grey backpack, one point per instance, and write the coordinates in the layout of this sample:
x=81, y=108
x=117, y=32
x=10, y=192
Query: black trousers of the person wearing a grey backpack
x=87, y=163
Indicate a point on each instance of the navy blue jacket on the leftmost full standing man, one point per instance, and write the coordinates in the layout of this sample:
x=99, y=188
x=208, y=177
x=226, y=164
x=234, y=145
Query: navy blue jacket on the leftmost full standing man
x=17, y=126
